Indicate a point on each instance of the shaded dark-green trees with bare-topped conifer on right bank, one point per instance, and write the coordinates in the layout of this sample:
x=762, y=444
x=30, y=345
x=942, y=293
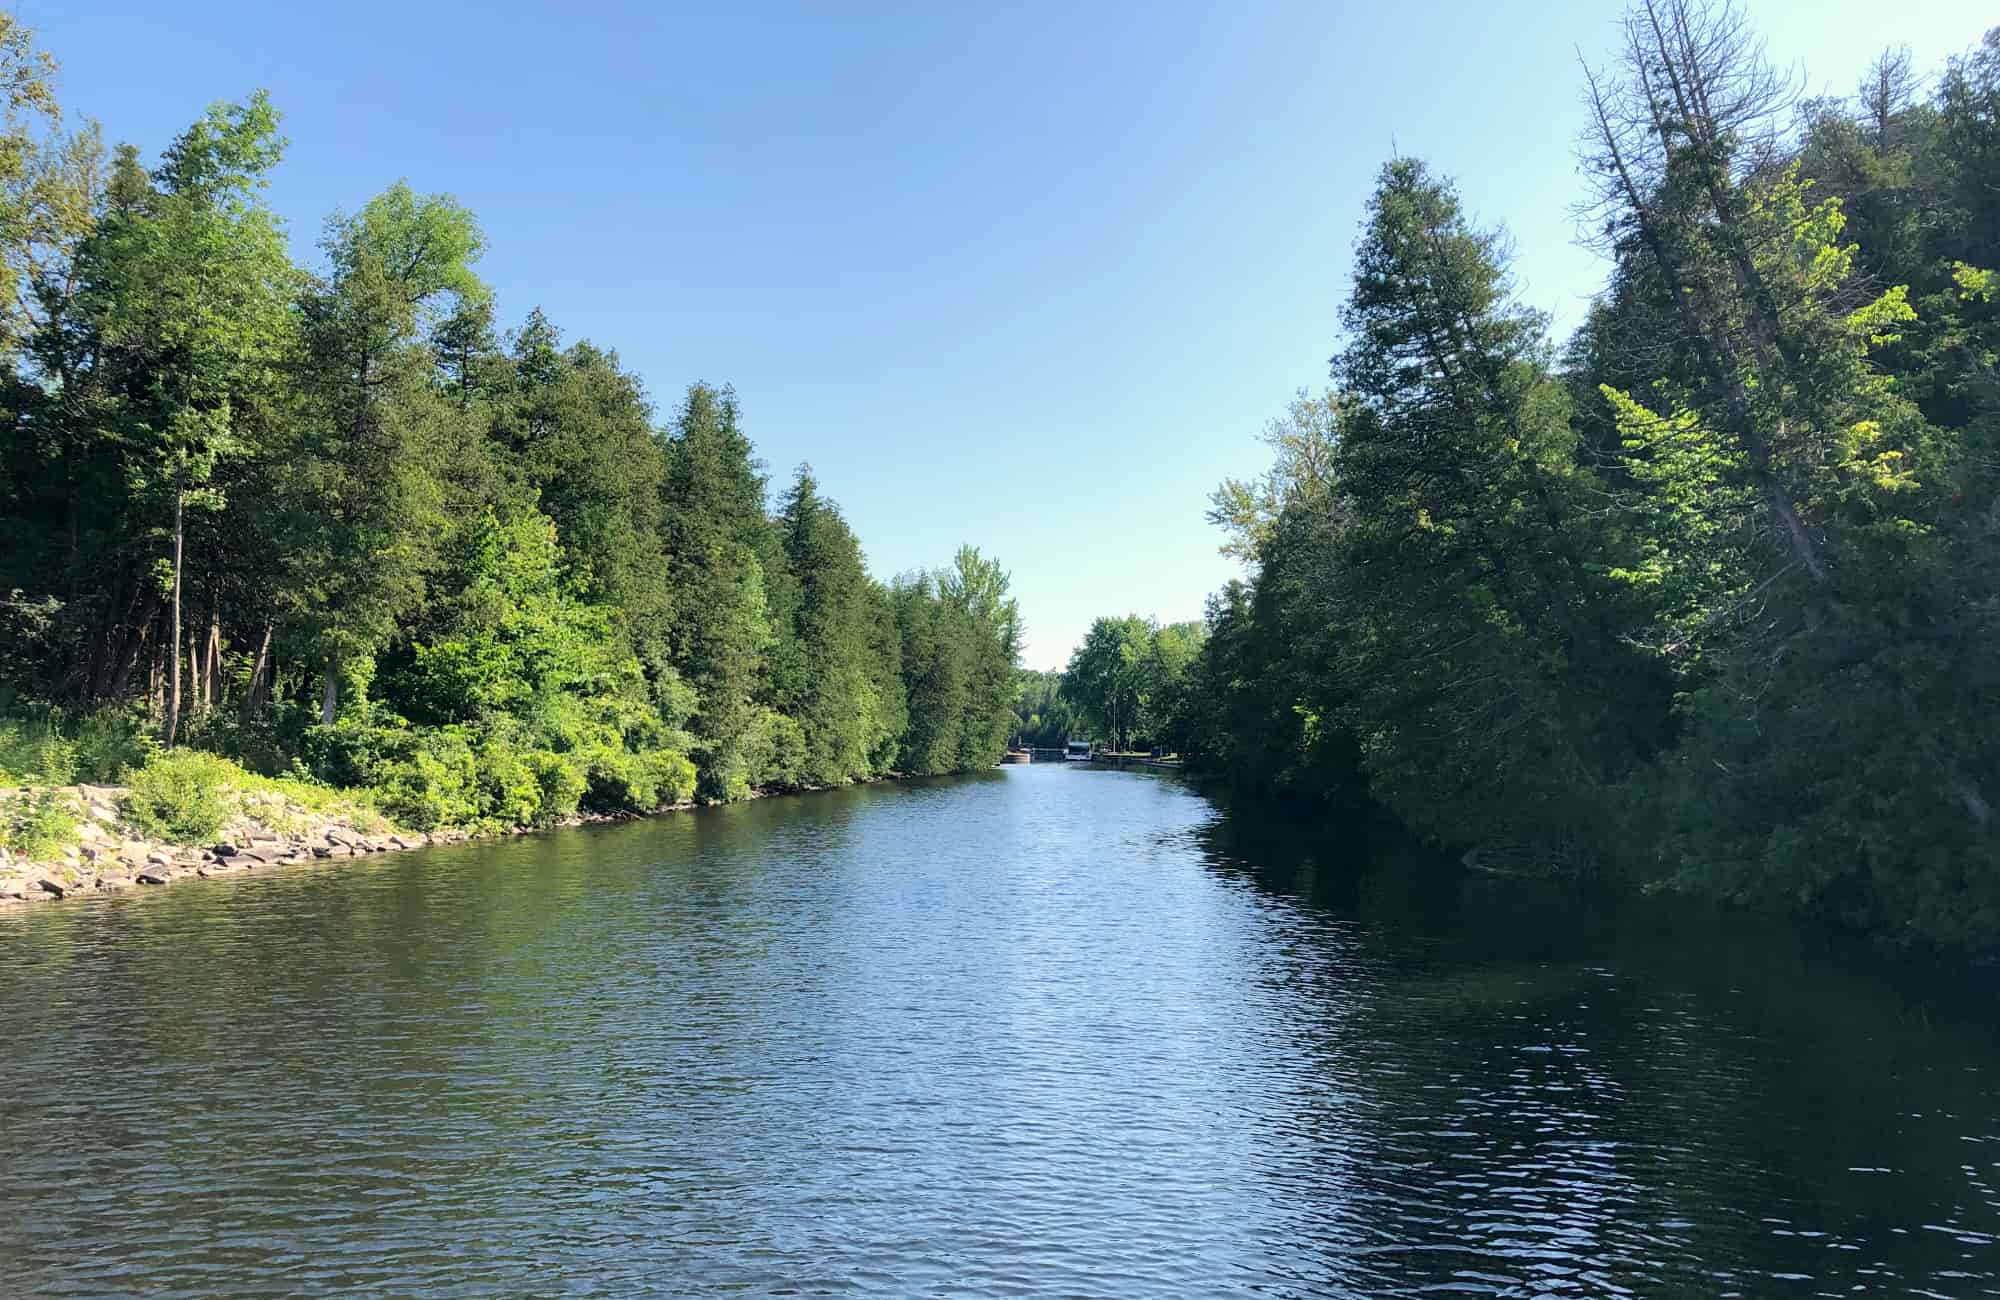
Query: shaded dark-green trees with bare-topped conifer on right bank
x=1707, y=597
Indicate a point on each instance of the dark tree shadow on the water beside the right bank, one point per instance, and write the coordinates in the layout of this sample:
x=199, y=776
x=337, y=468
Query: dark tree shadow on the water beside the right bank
x=1773, y=1095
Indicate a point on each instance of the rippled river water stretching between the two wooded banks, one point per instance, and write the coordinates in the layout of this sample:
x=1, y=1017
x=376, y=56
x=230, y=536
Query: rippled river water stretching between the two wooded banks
x=1045, y=1033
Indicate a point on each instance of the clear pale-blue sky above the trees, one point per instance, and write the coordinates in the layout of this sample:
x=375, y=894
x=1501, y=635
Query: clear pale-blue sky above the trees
x=1019, y=275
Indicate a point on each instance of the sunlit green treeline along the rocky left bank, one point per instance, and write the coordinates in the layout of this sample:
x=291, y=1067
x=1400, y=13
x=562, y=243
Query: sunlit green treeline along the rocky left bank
x=335, y=523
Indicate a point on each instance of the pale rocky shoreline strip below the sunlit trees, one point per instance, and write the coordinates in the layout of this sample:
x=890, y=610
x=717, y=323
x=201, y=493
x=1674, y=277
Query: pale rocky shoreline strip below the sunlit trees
x=111, y=859
